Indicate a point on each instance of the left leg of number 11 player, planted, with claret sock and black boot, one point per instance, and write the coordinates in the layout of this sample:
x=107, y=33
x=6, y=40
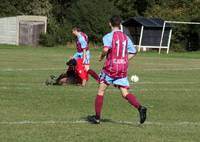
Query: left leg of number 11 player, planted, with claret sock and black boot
x=95, y=119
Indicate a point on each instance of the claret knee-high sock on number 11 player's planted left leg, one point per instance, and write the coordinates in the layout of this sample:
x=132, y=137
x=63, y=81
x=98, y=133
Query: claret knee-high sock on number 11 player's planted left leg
x=98, y=106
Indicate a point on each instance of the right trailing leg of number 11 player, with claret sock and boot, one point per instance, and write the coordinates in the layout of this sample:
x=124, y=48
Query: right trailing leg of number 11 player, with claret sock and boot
x=134, y=102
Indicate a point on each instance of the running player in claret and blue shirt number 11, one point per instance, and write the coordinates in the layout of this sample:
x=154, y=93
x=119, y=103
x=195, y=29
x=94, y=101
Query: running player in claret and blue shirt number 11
x=118, y=49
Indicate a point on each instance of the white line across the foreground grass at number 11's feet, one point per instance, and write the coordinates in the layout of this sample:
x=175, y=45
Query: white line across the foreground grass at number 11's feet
x=184, y=123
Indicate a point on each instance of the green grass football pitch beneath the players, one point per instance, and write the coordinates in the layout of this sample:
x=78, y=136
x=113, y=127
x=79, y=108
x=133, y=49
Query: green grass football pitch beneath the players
x=30, y=111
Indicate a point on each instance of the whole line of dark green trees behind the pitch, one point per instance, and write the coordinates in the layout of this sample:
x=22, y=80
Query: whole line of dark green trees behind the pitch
x=92, y=16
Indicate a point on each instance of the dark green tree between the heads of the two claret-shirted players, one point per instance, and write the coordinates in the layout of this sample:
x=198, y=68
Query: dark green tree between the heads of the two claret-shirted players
x=92, y=17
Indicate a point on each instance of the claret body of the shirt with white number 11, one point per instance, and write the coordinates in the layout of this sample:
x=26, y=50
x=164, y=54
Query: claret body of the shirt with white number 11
x=116, y=63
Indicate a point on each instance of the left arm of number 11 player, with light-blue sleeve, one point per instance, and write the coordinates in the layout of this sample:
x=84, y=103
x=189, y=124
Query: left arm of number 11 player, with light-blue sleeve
x=107, y=43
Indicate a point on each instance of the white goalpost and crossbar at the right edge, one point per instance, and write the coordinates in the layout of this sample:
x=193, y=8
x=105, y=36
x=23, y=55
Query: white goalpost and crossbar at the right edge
x=173, y=22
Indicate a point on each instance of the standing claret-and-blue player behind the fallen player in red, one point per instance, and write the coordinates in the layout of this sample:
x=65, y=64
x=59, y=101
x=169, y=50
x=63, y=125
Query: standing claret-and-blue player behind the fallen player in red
x=82, y=47
